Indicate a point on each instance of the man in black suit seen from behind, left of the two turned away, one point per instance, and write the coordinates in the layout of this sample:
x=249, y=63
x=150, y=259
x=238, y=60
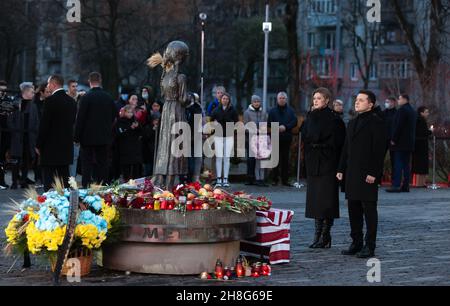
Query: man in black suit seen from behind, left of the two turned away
x=54, y=144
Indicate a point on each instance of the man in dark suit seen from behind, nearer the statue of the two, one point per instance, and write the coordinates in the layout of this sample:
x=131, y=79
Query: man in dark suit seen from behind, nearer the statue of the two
x=96, y=115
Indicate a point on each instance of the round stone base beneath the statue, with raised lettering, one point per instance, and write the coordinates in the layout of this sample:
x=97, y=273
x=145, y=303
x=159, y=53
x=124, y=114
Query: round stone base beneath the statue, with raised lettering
x=170, y=242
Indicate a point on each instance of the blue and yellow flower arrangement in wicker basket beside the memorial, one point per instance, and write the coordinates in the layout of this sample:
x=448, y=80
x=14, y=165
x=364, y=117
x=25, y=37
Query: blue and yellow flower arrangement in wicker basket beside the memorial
x=40, y=222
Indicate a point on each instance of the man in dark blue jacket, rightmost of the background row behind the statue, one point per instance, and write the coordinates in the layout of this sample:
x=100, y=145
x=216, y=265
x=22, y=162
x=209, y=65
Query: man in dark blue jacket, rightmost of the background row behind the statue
x=287, y=120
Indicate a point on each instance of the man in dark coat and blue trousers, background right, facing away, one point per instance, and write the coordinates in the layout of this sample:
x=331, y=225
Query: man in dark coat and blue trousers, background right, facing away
x=403, y=143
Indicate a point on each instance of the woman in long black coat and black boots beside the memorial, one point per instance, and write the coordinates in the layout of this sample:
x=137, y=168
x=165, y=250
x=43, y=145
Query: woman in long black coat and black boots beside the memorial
x=324, y=134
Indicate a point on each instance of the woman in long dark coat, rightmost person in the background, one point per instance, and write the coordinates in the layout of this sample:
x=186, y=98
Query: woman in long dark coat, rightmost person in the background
x=420, y=156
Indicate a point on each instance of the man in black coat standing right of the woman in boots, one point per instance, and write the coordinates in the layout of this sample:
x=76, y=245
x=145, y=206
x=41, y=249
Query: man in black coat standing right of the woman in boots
x=362, y=161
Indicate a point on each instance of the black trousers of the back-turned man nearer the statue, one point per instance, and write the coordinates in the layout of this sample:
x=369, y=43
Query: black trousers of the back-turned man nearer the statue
x=94, y=164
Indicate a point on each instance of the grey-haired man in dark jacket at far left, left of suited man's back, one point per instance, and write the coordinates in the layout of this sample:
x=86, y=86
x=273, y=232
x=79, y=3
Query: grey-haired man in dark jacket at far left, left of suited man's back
x=23, y=124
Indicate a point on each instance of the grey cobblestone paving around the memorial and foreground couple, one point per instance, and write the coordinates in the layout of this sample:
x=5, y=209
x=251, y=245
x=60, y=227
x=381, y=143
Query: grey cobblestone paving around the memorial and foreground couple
x=413, y=247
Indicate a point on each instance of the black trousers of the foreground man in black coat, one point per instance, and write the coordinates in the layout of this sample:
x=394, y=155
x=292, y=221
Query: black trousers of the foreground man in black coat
x=358, y=211
